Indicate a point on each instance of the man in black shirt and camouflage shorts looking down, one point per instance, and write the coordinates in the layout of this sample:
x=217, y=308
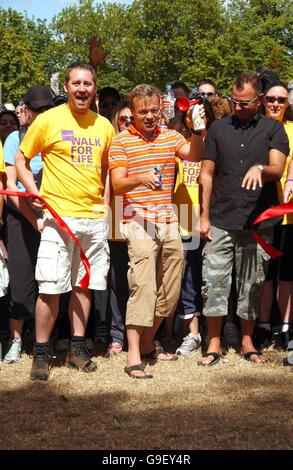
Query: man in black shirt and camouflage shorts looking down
x=244, y=155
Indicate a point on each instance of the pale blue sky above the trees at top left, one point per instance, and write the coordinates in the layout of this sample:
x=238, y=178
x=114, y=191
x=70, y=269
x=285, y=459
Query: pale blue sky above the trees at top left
x=44, y=8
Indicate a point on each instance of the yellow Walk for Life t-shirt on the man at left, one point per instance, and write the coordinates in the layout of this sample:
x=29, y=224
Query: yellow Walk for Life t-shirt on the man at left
x=74, y=148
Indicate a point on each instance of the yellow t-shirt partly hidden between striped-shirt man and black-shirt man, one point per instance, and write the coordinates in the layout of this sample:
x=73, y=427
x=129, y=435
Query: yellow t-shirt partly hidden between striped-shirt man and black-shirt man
x=186, y=196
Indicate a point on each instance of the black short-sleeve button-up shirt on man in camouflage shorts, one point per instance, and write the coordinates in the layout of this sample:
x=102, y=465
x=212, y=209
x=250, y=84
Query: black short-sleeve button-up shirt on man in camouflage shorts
x=235, y=149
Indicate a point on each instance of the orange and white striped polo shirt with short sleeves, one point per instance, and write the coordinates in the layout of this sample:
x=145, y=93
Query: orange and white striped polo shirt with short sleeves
x=132, y=150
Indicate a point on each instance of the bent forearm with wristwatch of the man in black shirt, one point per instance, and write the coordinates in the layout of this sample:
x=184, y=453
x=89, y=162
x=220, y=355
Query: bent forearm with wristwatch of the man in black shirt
x=271, y=172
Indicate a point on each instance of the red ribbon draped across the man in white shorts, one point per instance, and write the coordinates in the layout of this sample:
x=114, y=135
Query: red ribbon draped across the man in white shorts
x=86, y=279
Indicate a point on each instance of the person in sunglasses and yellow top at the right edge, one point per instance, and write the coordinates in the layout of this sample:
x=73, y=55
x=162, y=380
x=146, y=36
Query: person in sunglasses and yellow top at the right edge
x=280, y=272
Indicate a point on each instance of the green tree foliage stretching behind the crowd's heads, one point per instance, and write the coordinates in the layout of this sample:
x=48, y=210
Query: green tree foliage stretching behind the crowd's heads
x=152, y=41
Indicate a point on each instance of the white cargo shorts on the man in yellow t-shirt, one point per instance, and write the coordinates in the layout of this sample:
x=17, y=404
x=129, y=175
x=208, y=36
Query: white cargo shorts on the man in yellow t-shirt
x=59, y=267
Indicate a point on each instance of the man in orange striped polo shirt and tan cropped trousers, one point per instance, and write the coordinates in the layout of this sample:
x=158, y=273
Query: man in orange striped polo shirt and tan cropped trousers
x=142, y=164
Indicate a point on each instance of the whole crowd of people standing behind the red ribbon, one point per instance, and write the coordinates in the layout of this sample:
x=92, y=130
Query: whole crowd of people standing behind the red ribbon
x=163, y=213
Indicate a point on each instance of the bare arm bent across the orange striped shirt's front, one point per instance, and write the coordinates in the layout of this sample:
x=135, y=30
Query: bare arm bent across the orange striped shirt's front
x=123, y=184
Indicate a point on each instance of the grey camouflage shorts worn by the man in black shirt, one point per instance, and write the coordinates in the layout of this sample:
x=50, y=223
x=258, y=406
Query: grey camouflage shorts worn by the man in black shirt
x=251, y=263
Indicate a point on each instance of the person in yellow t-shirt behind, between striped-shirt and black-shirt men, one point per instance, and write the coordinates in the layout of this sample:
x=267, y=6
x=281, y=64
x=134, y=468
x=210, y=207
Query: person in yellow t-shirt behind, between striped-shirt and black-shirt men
x=186, y=194
